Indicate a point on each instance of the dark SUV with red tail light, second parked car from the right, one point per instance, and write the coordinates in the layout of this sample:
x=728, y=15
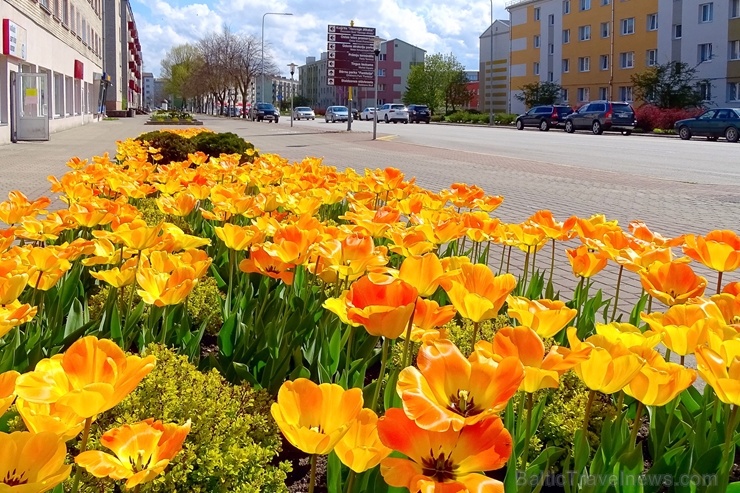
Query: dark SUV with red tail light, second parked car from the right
x=601, y=116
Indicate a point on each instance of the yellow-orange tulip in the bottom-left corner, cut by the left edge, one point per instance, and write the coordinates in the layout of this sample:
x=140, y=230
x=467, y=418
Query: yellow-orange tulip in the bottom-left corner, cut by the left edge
x=31, y=462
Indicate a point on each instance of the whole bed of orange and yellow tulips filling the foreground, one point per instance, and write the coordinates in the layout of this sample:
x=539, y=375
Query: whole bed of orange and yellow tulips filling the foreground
x=392, y=337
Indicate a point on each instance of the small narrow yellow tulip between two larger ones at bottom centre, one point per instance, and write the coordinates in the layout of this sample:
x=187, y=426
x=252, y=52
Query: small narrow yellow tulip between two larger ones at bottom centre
x=361, y=449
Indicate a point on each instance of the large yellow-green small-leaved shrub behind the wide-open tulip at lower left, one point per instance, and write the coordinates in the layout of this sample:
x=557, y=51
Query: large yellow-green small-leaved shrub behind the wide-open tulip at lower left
x=233, y=441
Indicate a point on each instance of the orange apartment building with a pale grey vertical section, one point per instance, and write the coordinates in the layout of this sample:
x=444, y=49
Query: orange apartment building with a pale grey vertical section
x=590, y=47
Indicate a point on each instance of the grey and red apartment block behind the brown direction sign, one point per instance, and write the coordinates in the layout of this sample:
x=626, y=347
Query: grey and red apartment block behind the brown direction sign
x=394, y=65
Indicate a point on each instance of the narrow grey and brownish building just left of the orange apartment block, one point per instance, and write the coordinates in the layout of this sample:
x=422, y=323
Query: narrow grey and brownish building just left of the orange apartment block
x=494, y=68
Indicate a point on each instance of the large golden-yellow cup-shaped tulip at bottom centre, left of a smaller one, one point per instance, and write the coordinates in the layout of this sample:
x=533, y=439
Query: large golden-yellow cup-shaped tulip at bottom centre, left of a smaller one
x=314, y=418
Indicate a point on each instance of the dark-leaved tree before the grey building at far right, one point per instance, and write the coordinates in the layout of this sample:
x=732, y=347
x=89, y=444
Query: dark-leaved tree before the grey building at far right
x=670, y=85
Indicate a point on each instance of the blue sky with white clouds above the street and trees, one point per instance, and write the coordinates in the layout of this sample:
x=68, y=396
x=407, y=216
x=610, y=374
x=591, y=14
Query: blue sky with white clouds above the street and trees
x=437, y=26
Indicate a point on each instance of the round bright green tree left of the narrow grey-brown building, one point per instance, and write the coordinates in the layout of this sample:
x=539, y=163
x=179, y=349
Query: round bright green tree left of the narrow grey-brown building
x=436, y=83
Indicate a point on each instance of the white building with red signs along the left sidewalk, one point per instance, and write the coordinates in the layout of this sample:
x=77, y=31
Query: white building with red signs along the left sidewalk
x=50, y=66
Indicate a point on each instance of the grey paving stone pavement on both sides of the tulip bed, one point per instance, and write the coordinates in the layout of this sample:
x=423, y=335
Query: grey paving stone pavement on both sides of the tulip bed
x=667, y=206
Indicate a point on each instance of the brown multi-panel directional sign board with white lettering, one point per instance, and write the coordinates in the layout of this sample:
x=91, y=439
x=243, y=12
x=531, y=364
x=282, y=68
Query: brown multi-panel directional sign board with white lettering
x=351, y=60
